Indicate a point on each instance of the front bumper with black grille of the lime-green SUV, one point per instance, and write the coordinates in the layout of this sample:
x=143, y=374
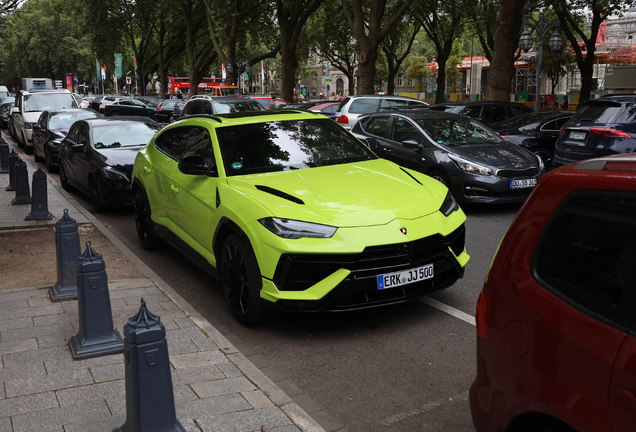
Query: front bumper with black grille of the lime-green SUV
x=341, y=282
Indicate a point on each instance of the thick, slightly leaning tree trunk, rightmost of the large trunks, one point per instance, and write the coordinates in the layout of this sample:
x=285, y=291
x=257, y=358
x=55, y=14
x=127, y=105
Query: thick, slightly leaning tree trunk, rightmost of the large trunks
x=506, y=42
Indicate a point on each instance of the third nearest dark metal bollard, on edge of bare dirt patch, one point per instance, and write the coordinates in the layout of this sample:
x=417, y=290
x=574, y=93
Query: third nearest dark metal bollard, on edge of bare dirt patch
x=68, y=250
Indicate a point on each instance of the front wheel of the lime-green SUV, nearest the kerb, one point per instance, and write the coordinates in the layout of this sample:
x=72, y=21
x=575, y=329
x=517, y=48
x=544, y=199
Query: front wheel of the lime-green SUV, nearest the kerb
x=241, y=281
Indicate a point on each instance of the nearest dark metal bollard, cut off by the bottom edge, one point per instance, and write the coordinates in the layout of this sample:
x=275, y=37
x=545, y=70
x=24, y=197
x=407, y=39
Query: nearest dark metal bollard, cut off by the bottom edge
x=149, y=393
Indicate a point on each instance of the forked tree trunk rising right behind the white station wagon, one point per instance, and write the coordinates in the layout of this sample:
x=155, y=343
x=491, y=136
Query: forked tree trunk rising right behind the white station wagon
x=371, y=25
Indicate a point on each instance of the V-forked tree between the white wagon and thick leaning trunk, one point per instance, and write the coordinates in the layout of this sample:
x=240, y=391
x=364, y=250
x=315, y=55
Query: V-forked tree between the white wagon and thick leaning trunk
x=442, y=21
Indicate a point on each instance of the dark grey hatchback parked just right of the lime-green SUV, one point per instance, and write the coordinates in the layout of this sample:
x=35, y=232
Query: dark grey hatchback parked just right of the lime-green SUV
x=473, y=161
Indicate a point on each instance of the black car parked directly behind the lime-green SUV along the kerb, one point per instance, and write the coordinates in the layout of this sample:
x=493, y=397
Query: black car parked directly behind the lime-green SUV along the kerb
x=97, y=157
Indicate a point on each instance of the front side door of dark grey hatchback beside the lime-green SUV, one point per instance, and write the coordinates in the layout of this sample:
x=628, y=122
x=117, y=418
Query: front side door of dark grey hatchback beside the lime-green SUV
x=409, y=146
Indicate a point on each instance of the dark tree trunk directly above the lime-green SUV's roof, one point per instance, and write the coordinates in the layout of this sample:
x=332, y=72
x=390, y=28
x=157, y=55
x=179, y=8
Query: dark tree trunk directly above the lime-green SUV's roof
x=292, y=16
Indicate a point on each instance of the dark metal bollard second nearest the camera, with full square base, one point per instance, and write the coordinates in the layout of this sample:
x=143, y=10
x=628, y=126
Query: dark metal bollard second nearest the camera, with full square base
x=96, y=336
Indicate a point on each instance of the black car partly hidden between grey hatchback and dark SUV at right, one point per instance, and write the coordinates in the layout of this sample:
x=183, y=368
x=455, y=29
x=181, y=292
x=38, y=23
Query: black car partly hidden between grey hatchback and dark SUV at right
x=535, y=131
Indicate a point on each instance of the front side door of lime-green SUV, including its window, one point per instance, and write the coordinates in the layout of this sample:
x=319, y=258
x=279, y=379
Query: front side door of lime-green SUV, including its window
x=193, y=197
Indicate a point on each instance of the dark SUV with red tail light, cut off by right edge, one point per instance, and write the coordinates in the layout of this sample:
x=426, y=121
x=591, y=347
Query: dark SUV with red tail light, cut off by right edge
x=601, y=127
